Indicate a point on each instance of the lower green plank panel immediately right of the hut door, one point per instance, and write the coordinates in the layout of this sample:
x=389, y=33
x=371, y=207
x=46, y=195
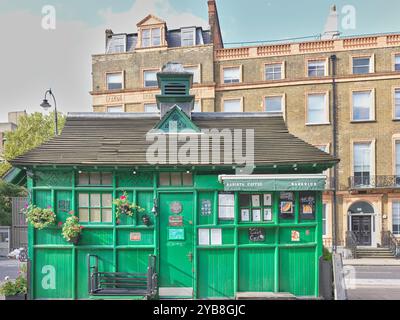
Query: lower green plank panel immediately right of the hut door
x=215, y=281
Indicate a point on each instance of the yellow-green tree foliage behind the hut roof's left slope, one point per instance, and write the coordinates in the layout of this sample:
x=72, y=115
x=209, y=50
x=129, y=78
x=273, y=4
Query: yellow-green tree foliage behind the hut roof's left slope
x=32, y=131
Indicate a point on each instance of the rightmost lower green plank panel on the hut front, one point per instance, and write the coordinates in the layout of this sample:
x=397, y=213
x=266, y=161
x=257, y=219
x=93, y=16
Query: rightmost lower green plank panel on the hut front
x=297, y=271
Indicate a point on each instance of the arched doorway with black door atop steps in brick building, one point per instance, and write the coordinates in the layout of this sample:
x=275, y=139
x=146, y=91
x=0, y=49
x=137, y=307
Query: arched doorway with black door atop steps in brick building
x=361, y=218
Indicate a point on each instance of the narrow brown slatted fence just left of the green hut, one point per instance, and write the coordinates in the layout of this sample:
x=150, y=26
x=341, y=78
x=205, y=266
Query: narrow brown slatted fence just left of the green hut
x=19, y=229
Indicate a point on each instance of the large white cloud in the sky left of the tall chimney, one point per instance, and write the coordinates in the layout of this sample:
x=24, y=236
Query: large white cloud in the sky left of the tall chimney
x=33, y=60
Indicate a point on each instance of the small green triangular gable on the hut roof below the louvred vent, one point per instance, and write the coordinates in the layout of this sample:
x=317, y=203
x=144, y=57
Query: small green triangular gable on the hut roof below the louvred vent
x=176, y=121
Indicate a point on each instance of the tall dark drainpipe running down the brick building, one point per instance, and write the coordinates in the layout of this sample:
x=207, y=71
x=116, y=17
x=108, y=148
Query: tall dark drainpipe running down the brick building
x=333, y=59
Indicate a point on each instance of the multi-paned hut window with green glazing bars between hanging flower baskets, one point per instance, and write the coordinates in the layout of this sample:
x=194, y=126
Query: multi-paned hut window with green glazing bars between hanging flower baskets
x=95, y=207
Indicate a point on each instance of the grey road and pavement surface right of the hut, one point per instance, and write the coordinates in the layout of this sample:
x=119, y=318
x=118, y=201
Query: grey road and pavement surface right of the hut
x=369, y=281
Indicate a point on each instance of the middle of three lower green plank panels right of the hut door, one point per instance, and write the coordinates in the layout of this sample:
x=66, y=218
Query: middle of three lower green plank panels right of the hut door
x=256, y=270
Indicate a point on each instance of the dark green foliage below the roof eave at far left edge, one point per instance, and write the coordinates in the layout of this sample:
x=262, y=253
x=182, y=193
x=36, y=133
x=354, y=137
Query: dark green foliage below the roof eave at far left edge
x=8, y=190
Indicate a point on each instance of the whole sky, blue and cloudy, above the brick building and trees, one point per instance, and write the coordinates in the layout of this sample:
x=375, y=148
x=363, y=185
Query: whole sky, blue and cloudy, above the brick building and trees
x=33, y=59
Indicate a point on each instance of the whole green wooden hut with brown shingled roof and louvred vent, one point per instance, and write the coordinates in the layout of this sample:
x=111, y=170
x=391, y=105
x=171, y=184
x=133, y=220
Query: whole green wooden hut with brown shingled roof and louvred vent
x=206, y=228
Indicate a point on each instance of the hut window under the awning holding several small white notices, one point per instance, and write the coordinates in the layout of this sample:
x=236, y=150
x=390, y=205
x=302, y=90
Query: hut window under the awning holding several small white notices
x=256, y=207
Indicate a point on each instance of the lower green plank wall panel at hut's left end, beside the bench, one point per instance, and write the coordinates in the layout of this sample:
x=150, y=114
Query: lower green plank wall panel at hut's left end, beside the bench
x=53, y=274
